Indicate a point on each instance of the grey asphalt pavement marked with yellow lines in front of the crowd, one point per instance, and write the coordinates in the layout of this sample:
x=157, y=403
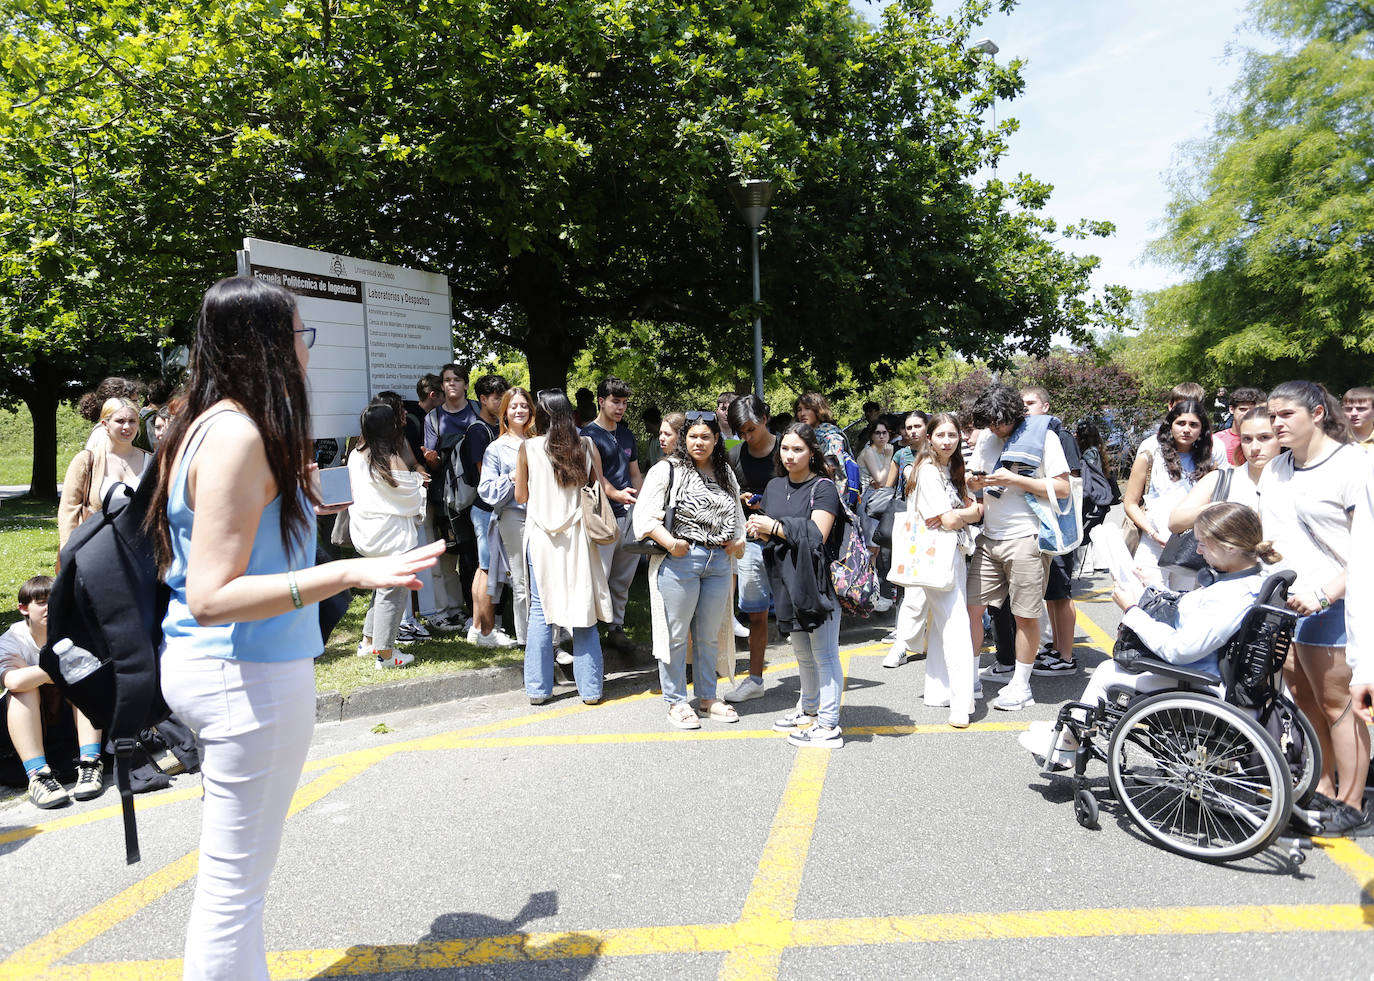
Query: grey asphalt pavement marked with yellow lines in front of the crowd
x=490, y=839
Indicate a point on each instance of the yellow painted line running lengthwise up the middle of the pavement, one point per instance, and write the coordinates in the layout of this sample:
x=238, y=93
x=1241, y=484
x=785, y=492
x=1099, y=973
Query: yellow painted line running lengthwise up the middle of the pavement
x=767, y=918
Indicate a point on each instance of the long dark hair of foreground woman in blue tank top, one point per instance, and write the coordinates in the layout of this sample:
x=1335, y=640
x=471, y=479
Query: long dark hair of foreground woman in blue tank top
x=245, y=350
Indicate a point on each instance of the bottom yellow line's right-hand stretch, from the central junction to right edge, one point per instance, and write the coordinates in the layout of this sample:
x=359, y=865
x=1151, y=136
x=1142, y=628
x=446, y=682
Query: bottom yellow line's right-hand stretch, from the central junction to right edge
x=1074, y=924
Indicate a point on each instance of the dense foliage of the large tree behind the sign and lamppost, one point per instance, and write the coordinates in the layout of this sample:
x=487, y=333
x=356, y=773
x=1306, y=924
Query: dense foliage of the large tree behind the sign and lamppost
x=567, y=167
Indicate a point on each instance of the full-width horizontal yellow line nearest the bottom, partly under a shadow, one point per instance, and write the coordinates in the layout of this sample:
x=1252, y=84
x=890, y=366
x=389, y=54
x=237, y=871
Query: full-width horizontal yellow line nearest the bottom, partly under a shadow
x=726, y=938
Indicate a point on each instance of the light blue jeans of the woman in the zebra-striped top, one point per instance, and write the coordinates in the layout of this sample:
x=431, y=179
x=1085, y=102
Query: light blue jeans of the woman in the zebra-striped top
x=696, y=591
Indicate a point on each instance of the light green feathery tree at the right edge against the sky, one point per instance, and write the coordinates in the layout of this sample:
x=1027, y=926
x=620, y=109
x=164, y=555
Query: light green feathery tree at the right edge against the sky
x=1273, y=219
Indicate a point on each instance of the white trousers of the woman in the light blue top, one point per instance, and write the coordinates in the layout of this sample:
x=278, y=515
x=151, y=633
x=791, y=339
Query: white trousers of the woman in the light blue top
x=254, y=725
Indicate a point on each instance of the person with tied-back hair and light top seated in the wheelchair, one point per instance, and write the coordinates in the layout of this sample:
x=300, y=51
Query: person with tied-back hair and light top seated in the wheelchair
x=1230, y=539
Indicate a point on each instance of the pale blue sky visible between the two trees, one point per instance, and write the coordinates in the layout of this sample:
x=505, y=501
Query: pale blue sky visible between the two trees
x=1114, y=89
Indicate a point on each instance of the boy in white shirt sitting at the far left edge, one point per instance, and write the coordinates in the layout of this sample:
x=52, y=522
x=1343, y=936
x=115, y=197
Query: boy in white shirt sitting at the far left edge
x=23, y=704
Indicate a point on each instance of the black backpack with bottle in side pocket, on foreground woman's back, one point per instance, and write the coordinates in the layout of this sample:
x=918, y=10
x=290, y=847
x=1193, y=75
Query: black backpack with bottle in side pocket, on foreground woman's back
x=105, y=629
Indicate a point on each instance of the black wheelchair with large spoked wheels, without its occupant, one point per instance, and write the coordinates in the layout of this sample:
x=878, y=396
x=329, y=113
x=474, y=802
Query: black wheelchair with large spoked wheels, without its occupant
x=1208, y=778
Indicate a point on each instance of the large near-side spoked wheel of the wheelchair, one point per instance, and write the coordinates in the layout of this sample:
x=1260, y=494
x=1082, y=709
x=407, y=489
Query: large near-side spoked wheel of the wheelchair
x=1202, y=778
